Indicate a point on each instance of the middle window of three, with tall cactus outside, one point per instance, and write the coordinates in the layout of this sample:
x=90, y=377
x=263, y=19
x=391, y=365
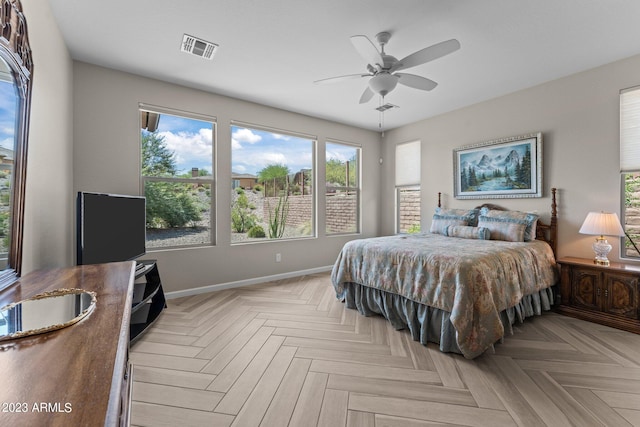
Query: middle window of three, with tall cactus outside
x=273, y=191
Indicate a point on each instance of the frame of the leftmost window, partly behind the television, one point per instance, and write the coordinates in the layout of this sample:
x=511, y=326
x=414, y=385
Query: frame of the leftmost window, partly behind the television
x=211, y=182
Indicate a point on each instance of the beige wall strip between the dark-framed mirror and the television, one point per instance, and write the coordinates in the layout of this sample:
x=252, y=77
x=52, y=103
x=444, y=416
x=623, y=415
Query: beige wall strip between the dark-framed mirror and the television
x=49, y=209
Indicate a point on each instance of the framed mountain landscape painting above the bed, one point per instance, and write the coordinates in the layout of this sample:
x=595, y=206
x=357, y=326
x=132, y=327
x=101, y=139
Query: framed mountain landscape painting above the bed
x=502, y=168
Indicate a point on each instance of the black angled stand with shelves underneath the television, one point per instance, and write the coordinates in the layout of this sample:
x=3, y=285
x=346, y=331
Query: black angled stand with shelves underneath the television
x=148, y=298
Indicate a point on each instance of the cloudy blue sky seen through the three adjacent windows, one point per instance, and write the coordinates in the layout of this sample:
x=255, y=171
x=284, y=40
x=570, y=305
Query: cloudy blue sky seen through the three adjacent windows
x=252, y=149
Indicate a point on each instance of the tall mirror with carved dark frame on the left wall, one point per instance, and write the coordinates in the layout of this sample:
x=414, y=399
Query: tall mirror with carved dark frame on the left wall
x=16, y=79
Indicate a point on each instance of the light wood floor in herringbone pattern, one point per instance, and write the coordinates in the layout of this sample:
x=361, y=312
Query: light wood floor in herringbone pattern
x=287, y=353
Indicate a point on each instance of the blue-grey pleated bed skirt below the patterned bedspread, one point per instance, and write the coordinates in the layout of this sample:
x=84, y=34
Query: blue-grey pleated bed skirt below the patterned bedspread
x=428, y=324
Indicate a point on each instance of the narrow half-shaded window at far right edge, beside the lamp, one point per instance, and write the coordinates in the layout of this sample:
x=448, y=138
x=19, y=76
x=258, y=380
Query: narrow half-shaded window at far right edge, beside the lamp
x=630, y=169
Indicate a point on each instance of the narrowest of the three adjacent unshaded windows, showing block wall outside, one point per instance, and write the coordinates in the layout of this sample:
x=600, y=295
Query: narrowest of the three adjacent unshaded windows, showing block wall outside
x=342, y=174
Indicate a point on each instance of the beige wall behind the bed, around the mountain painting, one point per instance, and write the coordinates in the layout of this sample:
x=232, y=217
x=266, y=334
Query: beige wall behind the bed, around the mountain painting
x=579, y=118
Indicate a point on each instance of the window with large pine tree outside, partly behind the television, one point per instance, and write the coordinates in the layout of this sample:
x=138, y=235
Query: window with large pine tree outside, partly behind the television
x=177, y=177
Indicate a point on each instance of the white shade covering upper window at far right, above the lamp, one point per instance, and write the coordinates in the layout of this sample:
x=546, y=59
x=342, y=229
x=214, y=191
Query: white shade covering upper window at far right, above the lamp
x=630, y=130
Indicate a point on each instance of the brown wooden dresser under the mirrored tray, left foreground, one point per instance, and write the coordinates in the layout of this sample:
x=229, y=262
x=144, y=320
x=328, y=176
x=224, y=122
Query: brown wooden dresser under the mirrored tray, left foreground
x=79, y=375
